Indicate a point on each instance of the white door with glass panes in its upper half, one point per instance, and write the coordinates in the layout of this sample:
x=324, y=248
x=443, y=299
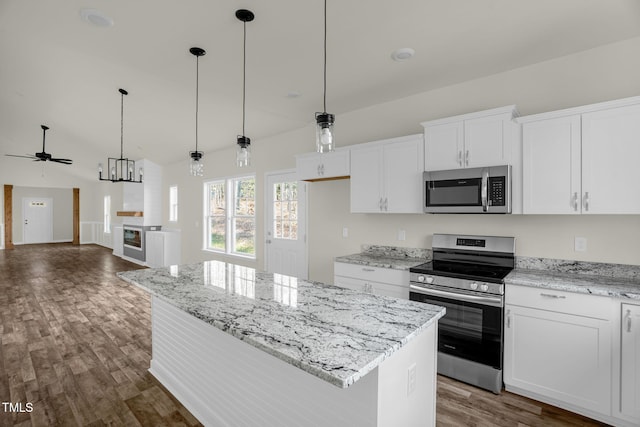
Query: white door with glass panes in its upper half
x=286, y=228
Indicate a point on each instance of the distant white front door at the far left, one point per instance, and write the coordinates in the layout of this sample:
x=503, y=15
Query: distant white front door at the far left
x=37, y=225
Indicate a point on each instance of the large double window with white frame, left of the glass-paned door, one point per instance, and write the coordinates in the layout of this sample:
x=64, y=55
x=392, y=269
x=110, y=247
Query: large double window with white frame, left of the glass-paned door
x=230, y=216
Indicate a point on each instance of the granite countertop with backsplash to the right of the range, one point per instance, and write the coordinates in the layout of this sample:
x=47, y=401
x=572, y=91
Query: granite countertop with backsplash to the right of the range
x=610, y=280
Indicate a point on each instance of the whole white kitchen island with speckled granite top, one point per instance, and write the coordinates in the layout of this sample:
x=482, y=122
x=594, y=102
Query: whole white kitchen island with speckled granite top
x=241, y=347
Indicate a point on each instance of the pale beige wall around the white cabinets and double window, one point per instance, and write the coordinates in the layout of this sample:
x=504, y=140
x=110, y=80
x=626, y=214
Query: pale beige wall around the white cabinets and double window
x=601, y=74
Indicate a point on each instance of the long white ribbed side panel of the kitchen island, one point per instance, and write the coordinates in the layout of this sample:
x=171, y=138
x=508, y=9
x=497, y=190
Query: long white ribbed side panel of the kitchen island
x=224, y=381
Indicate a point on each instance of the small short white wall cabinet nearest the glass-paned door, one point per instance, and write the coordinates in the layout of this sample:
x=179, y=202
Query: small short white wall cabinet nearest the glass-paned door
x=323, y=166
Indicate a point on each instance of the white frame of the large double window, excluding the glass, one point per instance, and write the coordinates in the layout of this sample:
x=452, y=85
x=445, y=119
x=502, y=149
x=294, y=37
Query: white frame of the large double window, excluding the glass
x=231, y=217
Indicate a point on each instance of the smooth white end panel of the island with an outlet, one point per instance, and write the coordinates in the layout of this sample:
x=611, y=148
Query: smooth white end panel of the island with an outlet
x=407, y=383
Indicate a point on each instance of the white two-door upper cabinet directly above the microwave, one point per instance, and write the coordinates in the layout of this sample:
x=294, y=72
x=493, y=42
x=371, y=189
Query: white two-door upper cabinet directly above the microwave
x=484, y=138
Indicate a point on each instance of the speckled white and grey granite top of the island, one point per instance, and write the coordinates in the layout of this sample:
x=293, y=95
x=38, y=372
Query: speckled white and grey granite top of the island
x=336, y=334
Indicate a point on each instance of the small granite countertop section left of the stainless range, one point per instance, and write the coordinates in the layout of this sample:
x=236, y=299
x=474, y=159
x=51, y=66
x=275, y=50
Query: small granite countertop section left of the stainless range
x=387, y=257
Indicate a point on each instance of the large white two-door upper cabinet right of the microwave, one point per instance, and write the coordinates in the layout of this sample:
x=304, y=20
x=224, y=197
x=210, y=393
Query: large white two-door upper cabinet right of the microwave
x=582, y=160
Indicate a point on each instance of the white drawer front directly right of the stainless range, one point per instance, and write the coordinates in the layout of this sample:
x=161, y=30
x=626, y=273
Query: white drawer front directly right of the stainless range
x=559, y=301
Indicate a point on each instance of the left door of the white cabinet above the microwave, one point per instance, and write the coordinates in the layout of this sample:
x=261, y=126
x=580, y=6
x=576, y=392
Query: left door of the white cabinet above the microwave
x=444, y=146
